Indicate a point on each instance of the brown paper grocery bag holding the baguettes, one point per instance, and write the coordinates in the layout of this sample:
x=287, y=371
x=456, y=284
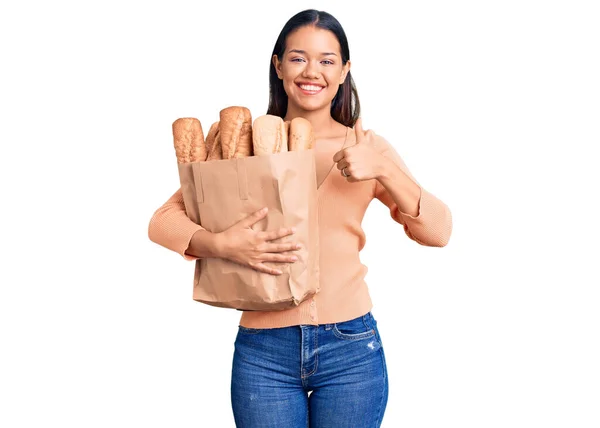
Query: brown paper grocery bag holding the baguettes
x=219, y=193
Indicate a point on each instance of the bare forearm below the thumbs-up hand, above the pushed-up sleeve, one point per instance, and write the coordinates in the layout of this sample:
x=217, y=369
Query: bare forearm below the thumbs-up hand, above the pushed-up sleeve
x=404, y=191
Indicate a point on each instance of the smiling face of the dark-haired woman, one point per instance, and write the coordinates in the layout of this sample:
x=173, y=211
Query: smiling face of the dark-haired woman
x=311, y=68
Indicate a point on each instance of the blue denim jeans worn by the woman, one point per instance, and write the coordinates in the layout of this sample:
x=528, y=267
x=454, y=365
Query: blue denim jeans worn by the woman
x=341, y=365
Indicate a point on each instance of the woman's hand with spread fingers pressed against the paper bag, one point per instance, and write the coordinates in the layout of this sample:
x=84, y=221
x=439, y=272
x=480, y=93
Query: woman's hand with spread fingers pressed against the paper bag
x=248, y=247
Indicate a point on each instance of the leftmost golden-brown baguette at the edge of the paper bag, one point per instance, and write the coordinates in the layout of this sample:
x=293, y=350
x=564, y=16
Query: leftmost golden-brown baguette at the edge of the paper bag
x=188, y=140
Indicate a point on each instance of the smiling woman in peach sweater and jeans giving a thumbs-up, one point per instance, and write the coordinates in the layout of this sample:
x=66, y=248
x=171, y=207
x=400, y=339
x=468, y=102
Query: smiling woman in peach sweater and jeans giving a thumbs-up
x=329, y=345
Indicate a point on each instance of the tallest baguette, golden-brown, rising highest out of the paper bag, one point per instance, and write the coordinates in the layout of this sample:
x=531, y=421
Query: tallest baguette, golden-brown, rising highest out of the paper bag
x=235, y=130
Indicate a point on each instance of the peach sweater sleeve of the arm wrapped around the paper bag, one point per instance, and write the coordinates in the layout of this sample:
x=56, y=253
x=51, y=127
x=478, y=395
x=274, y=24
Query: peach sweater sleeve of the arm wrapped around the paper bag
x=171, y=228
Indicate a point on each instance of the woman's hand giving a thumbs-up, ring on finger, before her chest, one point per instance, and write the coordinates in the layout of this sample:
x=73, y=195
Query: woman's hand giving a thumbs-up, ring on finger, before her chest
x=361, y=161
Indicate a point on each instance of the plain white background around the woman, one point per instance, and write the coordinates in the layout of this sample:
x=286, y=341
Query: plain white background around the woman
x=494, y=106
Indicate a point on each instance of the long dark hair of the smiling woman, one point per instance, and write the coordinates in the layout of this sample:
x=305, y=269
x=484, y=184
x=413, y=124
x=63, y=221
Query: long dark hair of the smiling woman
x=345, y=107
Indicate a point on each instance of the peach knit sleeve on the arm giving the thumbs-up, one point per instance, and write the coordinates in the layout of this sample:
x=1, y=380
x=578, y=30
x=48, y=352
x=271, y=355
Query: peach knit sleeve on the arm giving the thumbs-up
x=433, y=224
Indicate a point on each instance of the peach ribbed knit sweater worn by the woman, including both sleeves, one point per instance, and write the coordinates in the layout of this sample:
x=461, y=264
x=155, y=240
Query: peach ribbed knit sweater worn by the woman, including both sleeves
x=344, y=294
